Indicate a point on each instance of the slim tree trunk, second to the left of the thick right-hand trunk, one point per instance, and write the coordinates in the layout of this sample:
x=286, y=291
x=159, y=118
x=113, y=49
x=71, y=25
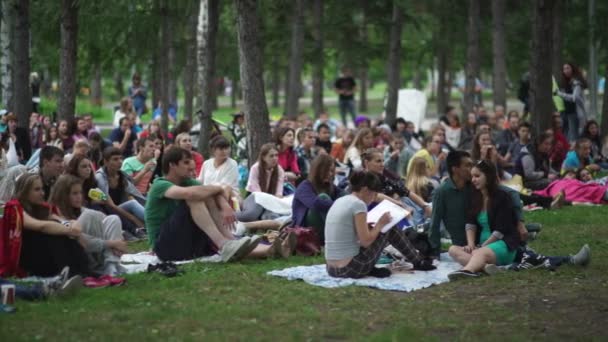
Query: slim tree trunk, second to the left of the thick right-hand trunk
x=473, y=54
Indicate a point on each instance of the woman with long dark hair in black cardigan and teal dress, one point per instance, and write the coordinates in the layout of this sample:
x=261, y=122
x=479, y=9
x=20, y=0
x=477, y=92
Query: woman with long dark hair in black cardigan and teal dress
x=491, y=229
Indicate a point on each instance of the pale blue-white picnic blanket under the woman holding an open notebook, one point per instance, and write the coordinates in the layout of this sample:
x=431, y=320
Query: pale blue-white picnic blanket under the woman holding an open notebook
x=406, y=282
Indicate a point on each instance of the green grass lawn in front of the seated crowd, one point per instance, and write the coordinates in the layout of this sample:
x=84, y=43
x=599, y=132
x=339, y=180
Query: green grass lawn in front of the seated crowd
x=240, y=302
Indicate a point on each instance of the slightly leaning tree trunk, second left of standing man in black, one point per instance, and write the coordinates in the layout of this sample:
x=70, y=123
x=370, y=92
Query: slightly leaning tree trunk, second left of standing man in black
x=295, y=60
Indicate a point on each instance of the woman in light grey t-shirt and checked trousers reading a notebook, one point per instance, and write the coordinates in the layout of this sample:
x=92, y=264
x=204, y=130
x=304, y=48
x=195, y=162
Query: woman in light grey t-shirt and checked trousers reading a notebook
x=352, y=247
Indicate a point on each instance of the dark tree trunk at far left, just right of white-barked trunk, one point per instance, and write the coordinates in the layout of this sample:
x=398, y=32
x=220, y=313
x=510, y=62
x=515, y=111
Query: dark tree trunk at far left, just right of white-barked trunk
x=22, y=97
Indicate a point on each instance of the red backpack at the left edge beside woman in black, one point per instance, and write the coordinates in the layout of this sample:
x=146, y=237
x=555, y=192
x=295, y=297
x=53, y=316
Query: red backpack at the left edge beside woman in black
x=11, y=229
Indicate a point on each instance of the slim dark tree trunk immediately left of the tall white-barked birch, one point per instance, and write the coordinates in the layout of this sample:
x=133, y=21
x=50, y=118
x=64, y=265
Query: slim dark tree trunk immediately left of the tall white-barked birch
x=190, y=69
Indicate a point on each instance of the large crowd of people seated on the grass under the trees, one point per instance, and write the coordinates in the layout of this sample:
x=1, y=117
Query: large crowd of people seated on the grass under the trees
x=84, y=197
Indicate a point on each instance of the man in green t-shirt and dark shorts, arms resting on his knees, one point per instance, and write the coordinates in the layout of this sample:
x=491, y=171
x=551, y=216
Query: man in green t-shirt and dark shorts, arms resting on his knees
x=178, y=219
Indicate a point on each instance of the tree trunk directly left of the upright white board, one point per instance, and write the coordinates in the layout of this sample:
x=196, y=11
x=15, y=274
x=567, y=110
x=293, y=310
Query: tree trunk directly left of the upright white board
x=394, y=64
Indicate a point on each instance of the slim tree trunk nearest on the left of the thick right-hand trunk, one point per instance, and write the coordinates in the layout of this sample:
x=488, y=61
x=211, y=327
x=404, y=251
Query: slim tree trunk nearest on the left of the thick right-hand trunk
x=499, y=77
